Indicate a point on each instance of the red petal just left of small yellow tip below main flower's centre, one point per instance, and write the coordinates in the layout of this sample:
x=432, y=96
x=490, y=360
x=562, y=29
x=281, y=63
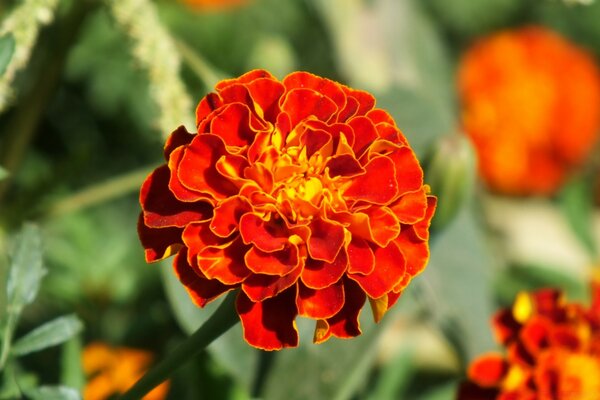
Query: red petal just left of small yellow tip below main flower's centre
x=265, y=235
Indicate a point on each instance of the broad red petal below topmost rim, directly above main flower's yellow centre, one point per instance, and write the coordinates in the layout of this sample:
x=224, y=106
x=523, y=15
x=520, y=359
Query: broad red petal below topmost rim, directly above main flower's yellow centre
x=303, y=103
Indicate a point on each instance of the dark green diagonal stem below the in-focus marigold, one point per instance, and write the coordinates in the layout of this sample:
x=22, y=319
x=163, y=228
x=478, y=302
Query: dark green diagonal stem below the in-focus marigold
x=219, y=322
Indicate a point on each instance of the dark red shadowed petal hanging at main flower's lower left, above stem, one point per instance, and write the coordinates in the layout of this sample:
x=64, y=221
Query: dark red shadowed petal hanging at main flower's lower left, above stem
x=201, y=290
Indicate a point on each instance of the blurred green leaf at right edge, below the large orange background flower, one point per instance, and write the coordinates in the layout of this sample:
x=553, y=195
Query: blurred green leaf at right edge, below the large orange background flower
x=576, y=202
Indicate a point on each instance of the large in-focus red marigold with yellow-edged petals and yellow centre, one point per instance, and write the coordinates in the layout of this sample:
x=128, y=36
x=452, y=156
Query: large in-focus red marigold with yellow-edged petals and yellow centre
x=302, y=194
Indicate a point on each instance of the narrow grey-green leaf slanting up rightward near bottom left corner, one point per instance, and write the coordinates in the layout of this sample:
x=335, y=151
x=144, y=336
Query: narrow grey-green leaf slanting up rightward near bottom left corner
x=55, y=332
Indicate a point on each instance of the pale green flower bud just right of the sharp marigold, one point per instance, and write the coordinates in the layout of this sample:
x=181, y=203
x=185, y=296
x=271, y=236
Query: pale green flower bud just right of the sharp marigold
x=450, y=172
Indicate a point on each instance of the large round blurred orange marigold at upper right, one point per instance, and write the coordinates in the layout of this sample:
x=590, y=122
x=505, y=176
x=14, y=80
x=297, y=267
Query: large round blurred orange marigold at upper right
x=531, y=105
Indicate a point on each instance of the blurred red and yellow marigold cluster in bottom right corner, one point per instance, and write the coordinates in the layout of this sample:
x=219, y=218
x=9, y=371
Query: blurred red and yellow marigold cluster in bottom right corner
x=553, y=352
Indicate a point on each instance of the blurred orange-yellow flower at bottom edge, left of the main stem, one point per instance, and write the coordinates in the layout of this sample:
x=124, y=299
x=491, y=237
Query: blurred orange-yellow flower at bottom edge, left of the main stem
x=113, y=370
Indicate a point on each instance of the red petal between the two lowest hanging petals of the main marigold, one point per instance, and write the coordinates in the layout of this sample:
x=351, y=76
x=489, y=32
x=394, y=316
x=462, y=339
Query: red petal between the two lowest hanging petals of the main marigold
x=322, y=303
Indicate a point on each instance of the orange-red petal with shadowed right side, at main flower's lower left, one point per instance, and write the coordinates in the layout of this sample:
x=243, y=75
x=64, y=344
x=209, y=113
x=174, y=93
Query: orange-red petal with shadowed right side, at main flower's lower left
x=225, y=264
